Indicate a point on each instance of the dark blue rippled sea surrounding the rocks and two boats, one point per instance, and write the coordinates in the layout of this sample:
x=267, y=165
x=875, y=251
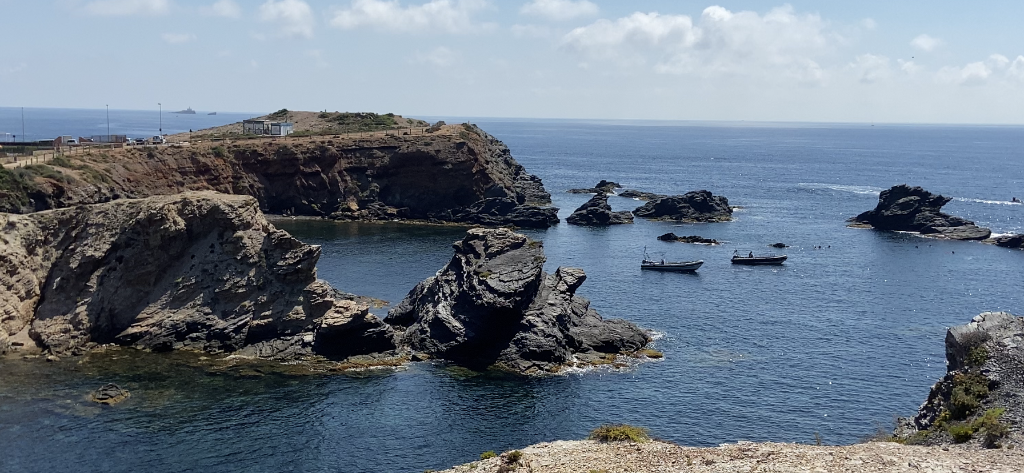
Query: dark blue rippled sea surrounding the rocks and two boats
x=832, y=347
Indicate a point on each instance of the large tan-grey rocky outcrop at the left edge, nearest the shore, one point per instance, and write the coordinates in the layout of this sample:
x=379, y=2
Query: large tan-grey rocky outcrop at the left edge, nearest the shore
x=197, y=271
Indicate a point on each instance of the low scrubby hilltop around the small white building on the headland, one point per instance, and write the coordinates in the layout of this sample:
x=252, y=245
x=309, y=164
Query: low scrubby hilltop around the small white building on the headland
x=312, y=123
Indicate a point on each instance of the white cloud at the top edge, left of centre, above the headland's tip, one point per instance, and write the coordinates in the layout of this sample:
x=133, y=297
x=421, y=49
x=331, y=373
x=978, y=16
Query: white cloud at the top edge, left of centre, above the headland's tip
x=445, y=16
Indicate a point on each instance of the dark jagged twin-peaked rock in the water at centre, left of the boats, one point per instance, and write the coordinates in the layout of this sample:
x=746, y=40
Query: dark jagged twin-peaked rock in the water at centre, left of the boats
x=493, y=306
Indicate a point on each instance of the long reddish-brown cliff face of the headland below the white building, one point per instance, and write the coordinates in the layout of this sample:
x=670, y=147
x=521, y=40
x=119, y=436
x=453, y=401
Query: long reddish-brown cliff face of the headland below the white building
x=445, y=177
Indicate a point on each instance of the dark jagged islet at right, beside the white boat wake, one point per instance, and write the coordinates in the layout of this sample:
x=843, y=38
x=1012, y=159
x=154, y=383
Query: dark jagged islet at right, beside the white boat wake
x=913, y=209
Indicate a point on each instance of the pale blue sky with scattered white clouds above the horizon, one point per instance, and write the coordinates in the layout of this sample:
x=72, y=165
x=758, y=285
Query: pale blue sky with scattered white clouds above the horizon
x=805, y=61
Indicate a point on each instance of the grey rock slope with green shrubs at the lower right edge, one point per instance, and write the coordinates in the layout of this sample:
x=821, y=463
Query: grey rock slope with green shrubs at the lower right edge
x=982, y=398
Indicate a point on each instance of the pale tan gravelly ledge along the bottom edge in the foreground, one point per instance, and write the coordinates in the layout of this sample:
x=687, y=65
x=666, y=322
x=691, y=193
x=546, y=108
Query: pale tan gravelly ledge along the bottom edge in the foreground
x=584, y=456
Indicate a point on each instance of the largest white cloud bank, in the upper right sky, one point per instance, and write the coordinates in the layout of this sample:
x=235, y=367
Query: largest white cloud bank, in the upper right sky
x=781, y=44
